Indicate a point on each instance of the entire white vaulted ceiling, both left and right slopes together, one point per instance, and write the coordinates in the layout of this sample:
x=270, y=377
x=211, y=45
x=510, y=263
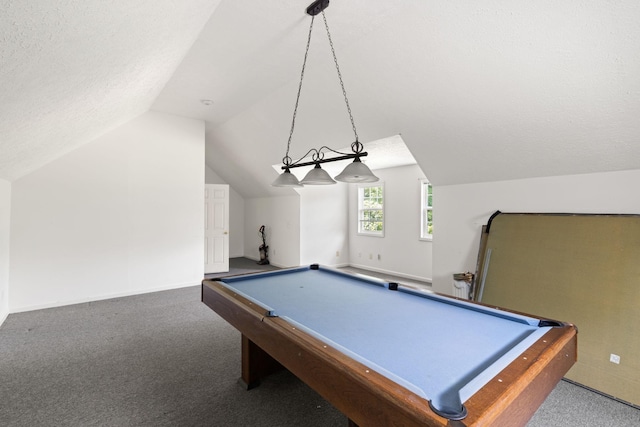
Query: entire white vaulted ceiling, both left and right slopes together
x=479, y=91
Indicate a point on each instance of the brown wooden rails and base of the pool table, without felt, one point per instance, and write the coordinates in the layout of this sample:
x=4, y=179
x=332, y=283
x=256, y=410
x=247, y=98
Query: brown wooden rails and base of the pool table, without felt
x=368, y=398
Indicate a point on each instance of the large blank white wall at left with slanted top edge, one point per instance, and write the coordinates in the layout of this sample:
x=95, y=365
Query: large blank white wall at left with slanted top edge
x=120, y=215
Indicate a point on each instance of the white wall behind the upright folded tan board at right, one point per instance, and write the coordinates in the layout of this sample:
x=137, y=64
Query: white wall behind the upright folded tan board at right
x=461, y=210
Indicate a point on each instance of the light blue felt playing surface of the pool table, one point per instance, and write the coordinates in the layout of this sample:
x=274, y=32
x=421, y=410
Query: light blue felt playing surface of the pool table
x=438, y=348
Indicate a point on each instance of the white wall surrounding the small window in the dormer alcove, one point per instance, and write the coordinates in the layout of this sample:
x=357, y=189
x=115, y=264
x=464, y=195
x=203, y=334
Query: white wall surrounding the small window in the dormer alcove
x=401, y=251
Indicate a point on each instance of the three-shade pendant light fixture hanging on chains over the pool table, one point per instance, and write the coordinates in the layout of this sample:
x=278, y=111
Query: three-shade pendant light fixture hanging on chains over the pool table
x=355, y=172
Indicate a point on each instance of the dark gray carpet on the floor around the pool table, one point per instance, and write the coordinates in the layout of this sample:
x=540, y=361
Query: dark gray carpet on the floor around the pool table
x=165, y=359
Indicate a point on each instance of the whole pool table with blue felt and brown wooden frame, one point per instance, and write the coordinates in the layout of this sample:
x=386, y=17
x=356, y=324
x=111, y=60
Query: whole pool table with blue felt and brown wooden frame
x=387, y=354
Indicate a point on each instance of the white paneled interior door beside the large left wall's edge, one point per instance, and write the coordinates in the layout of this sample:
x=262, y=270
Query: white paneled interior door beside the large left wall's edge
x=216, y=228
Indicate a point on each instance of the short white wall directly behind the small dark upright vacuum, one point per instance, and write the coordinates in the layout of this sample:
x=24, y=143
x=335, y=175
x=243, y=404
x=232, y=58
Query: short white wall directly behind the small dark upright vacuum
x=281, y=218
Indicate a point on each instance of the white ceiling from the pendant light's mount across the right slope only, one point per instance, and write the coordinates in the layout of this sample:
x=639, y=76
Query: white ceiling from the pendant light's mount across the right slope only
x=479, y=91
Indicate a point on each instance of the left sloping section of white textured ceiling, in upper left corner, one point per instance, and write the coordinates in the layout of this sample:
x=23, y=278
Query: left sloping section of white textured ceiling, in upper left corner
x=72, y=70
